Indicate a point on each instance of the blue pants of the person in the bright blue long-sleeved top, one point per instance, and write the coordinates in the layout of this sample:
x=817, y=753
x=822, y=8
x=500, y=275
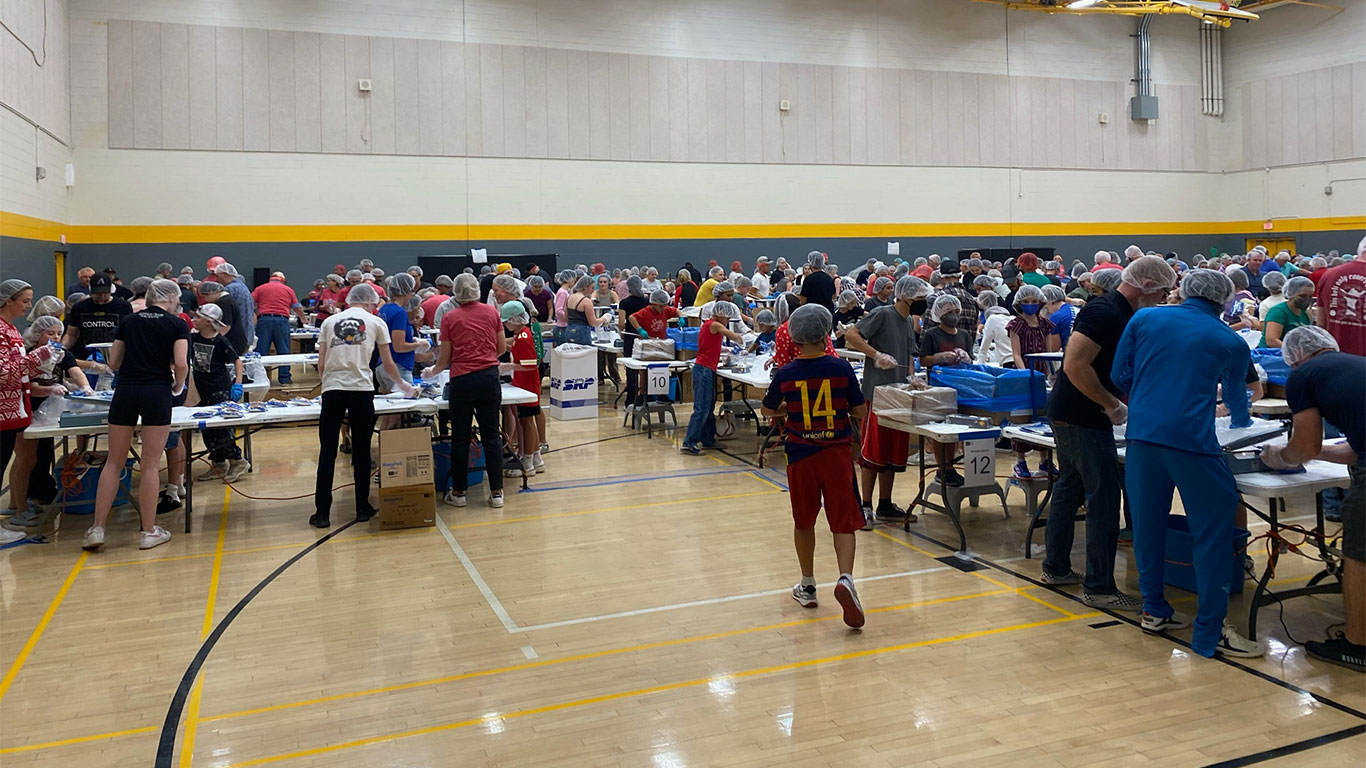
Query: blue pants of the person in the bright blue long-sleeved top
x=1211, y=499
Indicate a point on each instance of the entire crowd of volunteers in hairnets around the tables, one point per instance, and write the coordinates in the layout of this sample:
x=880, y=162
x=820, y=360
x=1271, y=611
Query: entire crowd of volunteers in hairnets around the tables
x=1159, y=342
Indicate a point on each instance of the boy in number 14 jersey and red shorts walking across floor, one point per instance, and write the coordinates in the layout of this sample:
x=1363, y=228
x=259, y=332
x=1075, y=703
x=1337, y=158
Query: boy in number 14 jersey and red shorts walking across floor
x=819, y=396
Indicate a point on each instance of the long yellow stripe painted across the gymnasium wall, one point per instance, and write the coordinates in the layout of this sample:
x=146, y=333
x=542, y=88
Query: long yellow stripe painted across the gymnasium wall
x=18, y=226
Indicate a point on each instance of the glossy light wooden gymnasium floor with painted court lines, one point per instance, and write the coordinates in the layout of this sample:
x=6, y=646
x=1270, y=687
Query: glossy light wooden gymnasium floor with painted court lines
x=633, y=610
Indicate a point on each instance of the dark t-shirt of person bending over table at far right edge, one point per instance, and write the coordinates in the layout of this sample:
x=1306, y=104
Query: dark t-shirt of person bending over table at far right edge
x=1335, y=383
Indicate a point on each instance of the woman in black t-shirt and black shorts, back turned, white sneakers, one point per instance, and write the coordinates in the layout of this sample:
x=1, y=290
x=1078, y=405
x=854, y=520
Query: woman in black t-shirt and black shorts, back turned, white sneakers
x=151, y=355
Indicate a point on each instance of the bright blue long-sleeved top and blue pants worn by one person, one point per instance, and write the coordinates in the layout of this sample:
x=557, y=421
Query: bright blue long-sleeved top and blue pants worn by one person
x=1171, y=361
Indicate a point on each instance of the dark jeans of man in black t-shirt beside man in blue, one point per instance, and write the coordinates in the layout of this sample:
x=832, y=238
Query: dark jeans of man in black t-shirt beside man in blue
x=1089, y=474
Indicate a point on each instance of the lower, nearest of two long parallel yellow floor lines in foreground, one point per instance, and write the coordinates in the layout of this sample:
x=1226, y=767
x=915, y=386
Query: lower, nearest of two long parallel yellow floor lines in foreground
x=648, y=691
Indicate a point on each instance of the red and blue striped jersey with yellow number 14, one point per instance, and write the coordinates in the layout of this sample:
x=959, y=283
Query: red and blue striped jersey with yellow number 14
x=818, y=394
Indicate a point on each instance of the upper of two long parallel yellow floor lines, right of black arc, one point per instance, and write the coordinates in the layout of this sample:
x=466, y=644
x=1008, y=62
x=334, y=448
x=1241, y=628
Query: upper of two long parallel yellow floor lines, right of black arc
x=589, y=657
